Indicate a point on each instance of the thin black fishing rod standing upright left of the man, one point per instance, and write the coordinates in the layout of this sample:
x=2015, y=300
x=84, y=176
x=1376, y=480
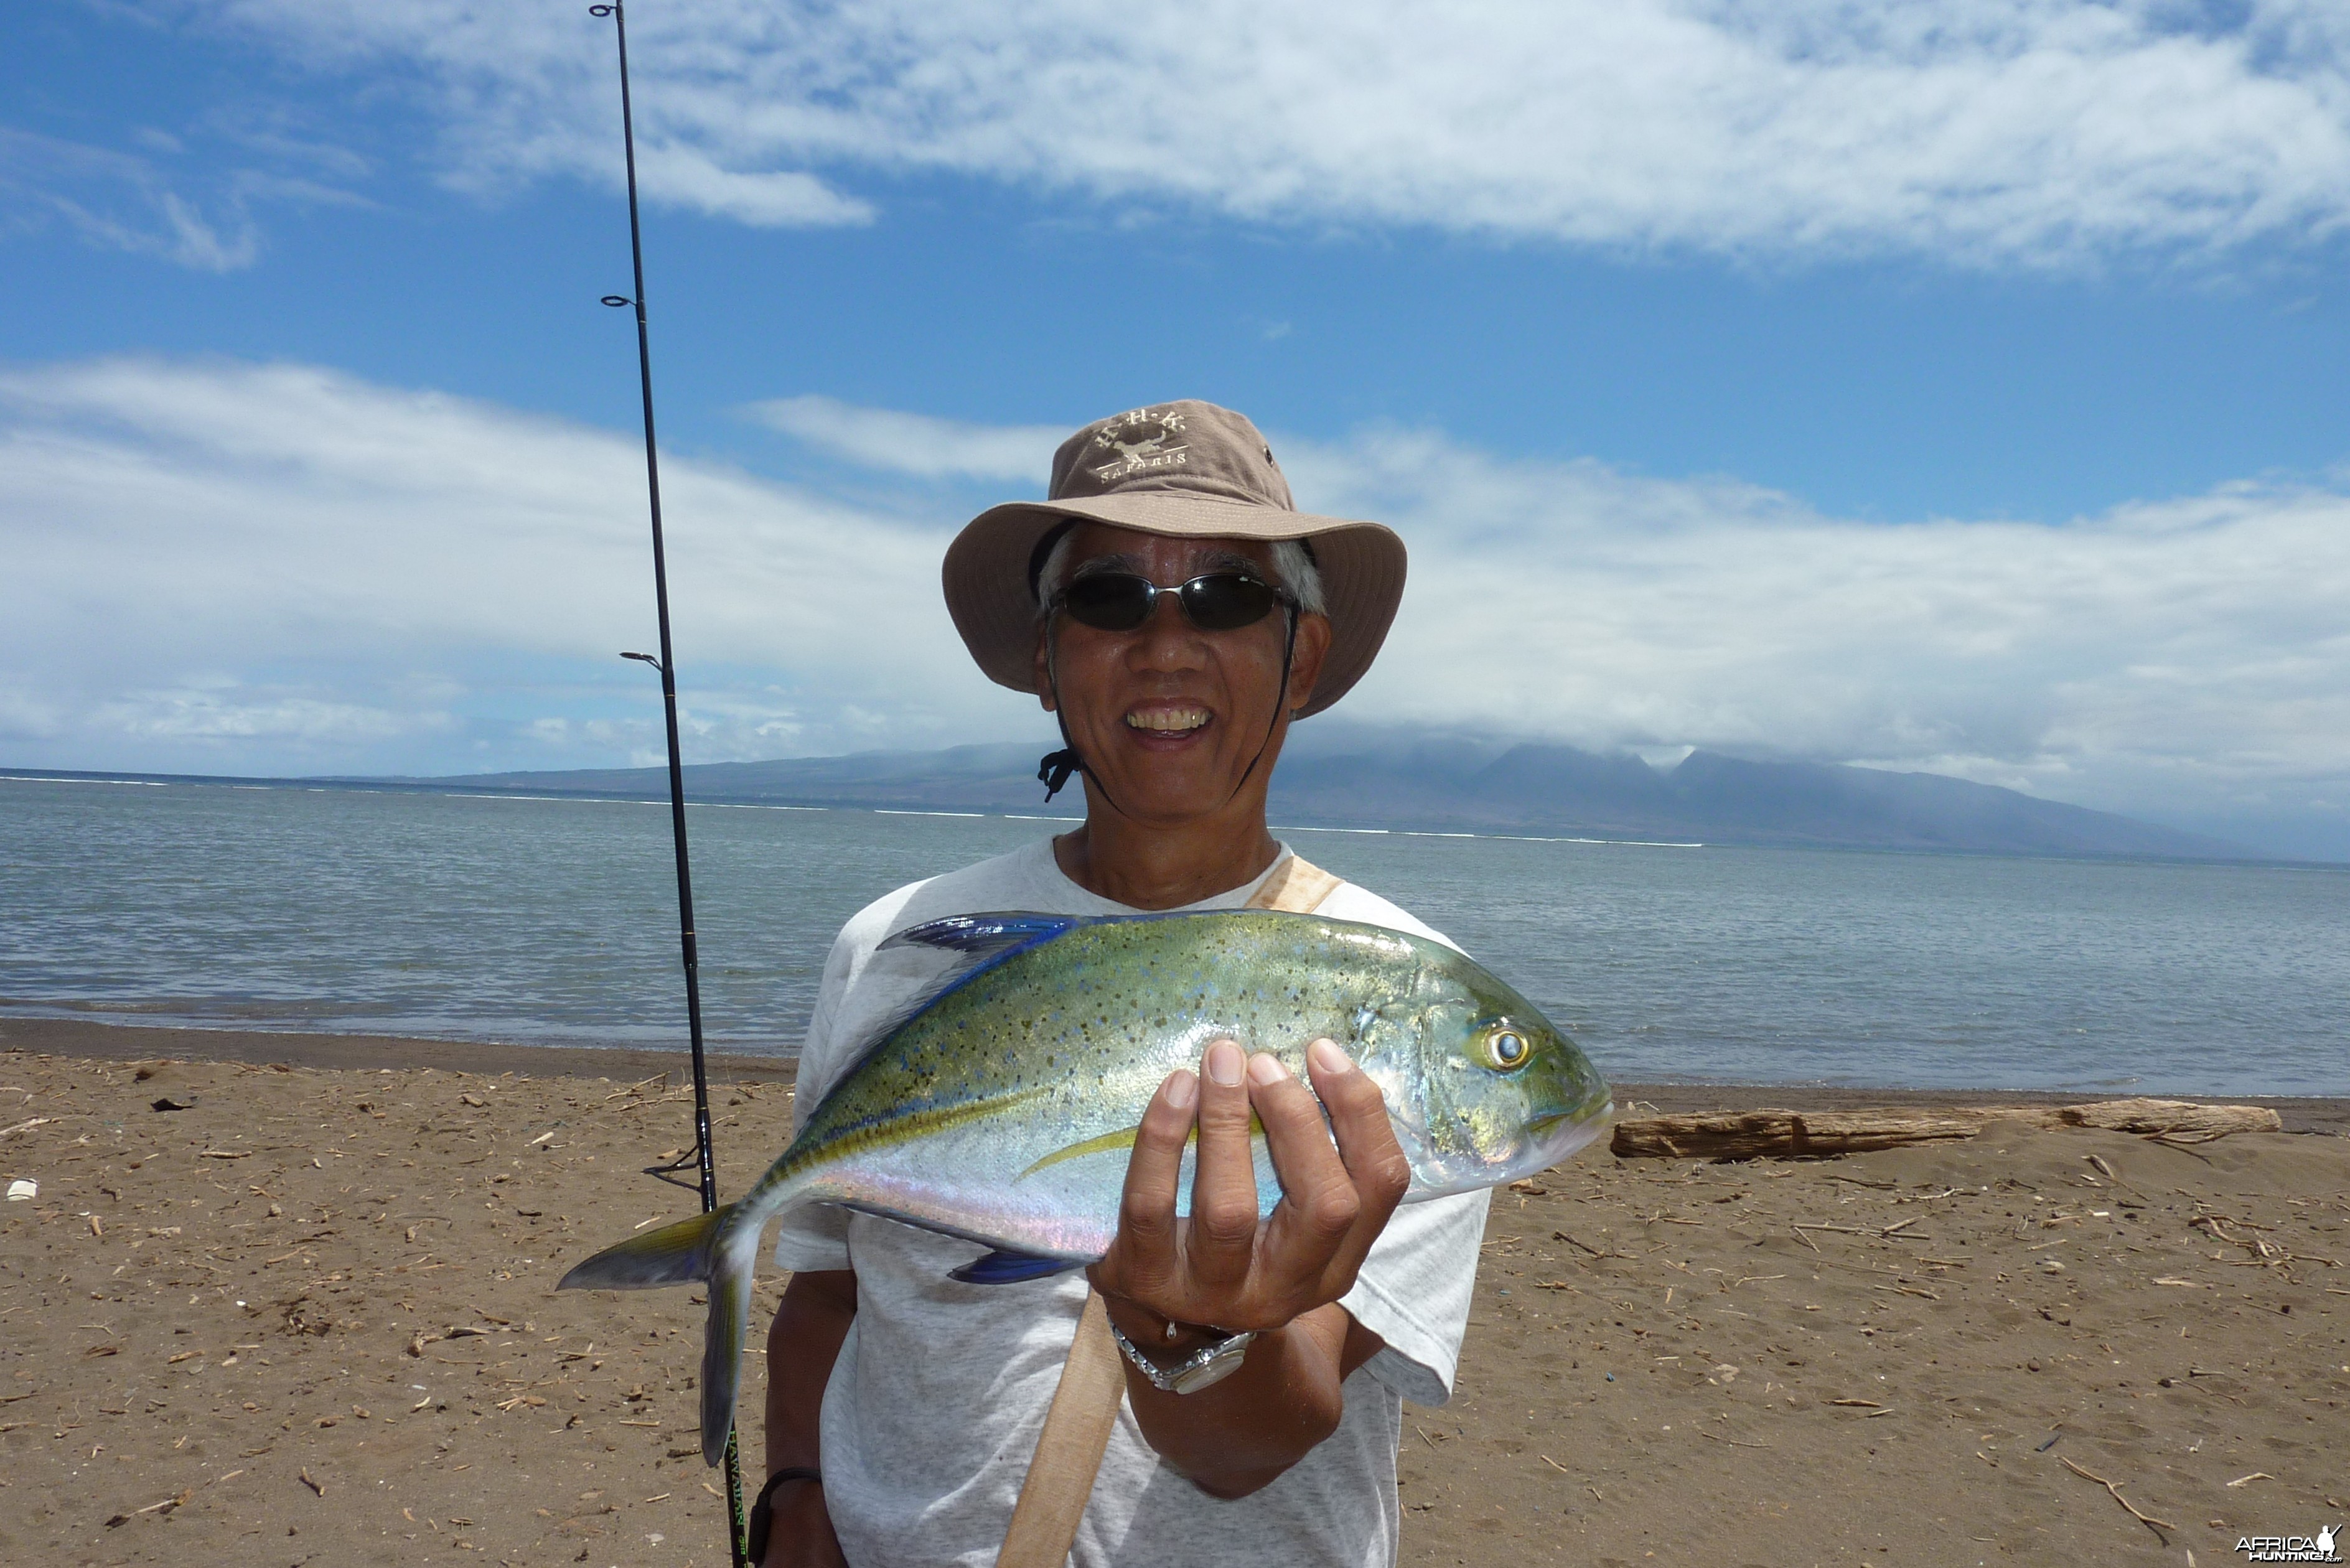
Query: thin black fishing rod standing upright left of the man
x=666, y=664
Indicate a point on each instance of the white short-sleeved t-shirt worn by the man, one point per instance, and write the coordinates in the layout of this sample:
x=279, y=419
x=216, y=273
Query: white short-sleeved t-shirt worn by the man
x=941, y=1388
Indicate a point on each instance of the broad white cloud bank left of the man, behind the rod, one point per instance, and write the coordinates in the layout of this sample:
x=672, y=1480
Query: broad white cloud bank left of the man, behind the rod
x=281, y=568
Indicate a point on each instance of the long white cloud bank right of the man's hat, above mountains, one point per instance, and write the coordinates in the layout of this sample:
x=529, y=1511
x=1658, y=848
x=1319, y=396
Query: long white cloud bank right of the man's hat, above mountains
x=2180, y=657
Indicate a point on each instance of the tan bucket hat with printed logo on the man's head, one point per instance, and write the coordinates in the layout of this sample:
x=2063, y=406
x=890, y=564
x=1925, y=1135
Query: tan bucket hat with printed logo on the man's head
x=1186, y=469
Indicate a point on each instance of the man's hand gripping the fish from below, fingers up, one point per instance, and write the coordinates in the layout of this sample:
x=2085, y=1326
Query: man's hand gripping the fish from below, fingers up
x=1223, y=1266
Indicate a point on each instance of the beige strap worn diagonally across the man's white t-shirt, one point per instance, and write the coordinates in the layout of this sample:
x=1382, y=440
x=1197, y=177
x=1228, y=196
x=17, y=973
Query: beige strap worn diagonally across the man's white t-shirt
x=1092, y=1386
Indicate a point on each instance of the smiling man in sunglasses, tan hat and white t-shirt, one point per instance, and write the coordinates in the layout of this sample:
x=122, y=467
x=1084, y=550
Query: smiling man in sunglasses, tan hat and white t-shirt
x=1174, y=610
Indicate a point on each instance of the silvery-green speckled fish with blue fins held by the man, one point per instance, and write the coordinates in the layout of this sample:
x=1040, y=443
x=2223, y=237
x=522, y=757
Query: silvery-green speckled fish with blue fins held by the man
x=1005, y=1101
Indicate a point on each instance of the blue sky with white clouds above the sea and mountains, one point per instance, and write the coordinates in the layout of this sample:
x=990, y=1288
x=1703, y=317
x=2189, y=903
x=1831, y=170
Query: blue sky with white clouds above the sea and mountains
x=1949, y=387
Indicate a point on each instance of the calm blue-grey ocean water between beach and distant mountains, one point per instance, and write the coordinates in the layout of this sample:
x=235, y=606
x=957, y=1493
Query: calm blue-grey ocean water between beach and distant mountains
x=553, y=923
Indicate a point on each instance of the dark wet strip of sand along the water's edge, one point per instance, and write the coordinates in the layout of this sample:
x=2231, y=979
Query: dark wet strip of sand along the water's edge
x=93, y=1040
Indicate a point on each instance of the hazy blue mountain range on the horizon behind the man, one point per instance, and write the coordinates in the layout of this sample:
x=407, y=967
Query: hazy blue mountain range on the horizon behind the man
x=1468, y=784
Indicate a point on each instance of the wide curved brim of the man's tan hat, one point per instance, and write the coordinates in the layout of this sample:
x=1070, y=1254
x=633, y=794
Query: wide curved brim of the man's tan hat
x=988, y=591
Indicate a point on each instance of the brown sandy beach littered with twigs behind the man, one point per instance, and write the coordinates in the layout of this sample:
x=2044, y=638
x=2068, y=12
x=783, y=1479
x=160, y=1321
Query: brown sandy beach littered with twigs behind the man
x=290, y=1299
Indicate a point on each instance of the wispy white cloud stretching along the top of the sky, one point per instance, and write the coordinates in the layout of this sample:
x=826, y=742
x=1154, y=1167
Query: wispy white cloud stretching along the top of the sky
x=1975, y=130
